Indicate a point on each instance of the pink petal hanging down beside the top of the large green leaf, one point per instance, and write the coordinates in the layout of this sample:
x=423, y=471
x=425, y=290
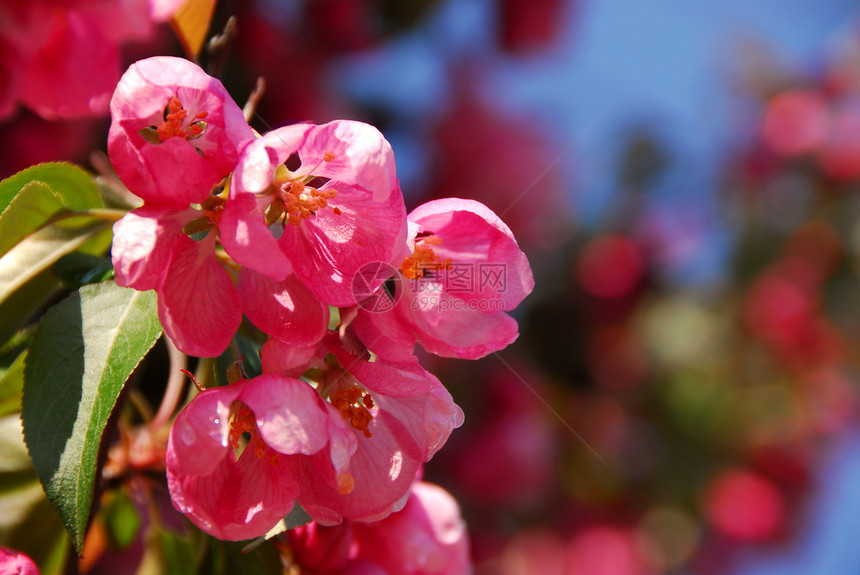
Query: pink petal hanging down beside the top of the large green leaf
x=198, y=305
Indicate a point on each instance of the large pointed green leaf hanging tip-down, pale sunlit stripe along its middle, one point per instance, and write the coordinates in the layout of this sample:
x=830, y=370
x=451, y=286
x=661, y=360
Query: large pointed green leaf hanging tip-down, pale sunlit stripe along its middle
x=82, y=353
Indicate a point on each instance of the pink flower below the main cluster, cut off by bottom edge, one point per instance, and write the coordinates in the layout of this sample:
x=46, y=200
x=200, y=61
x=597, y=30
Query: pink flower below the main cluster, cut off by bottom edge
x=427, y=537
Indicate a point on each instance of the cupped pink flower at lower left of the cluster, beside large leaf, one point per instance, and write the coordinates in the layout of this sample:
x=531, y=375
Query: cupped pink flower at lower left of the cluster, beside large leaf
x=281, y=420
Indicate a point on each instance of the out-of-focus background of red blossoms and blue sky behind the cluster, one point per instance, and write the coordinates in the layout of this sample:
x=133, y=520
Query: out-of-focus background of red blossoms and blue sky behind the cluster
x=683, y=398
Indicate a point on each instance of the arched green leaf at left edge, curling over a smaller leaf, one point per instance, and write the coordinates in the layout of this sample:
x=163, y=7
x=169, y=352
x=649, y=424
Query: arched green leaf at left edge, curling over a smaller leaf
x=73, y=185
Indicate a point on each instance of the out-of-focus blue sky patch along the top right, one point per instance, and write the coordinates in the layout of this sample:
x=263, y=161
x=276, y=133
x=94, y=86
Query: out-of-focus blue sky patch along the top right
x=663, y=64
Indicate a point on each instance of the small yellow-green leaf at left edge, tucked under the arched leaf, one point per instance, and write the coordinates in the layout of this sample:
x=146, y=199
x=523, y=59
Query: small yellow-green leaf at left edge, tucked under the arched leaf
x=28, y=211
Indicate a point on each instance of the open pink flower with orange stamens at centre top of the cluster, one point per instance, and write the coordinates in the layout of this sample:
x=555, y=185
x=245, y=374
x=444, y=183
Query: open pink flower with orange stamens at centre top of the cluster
x=323, y=220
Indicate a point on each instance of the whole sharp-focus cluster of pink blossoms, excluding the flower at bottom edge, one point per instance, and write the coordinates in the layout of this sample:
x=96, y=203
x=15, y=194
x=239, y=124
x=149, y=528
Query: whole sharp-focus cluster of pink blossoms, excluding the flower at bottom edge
x=302, y=230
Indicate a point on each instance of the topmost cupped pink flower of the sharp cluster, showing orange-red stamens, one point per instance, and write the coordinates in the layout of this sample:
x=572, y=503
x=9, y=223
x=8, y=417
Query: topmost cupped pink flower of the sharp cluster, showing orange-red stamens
x=175, y=131
